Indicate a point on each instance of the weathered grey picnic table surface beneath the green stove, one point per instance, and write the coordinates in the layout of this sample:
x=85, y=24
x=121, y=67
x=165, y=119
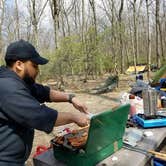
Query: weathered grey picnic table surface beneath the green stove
x=123, y=157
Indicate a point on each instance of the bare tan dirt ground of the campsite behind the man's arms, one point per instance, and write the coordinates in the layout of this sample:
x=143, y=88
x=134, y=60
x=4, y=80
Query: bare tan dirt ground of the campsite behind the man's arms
x=95, y=104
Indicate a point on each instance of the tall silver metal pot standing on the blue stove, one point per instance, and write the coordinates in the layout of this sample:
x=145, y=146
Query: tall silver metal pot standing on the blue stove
x=150, y=97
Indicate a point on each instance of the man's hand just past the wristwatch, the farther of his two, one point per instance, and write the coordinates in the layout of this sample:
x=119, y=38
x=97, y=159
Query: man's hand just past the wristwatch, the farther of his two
x=79, y=106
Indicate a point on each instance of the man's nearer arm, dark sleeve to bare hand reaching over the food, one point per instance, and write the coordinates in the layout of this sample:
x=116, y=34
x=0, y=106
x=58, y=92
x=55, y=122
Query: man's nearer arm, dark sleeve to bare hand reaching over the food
x=28, y=112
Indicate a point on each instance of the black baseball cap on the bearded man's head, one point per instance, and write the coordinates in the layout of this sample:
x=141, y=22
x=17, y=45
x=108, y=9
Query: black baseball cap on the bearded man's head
x=23, y=50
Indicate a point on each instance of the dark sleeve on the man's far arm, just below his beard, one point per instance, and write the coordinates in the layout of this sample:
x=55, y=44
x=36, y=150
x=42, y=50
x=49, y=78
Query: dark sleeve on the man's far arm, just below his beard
x=40, y=92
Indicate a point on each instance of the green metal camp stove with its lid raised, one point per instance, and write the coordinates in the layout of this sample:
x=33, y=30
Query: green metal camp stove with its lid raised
x=104, y=138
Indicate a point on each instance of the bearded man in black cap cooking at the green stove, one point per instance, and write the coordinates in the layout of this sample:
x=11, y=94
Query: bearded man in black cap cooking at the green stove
x=21, y=110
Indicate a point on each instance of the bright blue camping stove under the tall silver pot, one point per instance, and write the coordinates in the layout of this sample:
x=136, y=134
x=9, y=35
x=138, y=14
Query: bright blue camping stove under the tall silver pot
x=151, y=120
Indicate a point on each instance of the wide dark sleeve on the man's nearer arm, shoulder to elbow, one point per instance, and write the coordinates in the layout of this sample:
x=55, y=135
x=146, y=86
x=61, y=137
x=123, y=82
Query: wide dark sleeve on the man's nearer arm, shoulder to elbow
x=25, y=110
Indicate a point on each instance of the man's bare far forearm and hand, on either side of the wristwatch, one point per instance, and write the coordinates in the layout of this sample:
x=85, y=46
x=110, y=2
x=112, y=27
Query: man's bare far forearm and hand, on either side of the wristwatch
x=56, y=96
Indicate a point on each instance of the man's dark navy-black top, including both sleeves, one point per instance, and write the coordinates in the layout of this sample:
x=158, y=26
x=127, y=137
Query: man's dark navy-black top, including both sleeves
x=21, y=111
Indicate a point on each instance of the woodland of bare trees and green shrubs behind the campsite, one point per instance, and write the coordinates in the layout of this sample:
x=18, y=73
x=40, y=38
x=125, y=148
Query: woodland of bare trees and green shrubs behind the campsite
x=87, y=38
